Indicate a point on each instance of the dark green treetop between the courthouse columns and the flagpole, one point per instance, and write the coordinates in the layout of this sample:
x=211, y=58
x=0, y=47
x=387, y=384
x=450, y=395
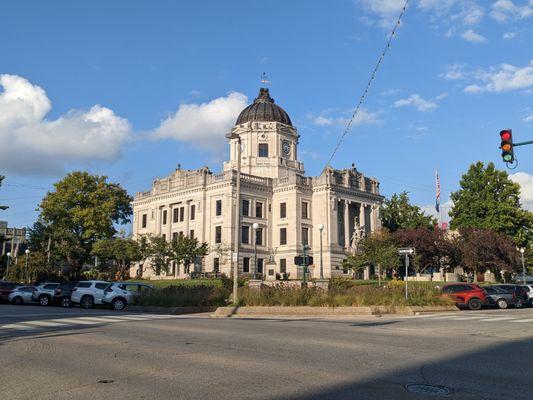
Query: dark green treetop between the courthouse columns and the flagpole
x=397, y=213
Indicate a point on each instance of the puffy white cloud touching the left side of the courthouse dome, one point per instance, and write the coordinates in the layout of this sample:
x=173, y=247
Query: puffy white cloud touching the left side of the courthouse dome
x=203, y=125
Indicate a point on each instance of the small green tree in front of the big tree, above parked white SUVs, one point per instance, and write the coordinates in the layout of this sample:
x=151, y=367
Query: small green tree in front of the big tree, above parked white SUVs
x=117, y=255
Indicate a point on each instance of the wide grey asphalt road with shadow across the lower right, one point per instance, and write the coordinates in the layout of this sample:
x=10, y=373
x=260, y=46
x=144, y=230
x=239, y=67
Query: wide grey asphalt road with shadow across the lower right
x=53, y=353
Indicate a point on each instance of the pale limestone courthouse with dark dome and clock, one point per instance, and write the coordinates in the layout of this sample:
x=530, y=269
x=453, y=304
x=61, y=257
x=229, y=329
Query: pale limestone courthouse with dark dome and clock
x=286, y=205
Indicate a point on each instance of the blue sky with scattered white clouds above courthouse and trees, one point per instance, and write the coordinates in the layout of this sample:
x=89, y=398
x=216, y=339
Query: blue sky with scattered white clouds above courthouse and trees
x=130, y=89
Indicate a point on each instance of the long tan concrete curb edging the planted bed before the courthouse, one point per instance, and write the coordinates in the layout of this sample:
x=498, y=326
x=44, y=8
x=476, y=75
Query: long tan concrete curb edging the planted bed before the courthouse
x=306, y=311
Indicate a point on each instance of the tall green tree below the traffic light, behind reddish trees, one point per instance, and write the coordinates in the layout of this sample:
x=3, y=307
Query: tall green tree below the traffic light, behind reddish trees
x=489, y=199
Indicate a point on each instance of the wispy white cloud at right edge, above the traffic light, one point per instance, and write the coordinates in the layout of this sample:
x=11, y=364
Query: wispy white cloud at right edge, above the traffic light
x=504, y=78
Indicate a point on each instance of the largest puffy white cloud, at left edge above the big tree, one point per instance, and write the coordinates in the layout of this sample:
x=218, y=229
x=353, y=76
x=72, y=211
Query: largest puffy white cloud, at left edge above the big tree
x=32, y=144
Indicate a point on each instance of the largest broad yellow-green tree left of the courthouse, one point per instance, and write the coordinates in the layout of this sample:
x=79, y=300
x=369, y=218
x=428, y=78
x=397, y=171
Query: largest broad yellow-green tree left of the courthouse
x=81, y=210
